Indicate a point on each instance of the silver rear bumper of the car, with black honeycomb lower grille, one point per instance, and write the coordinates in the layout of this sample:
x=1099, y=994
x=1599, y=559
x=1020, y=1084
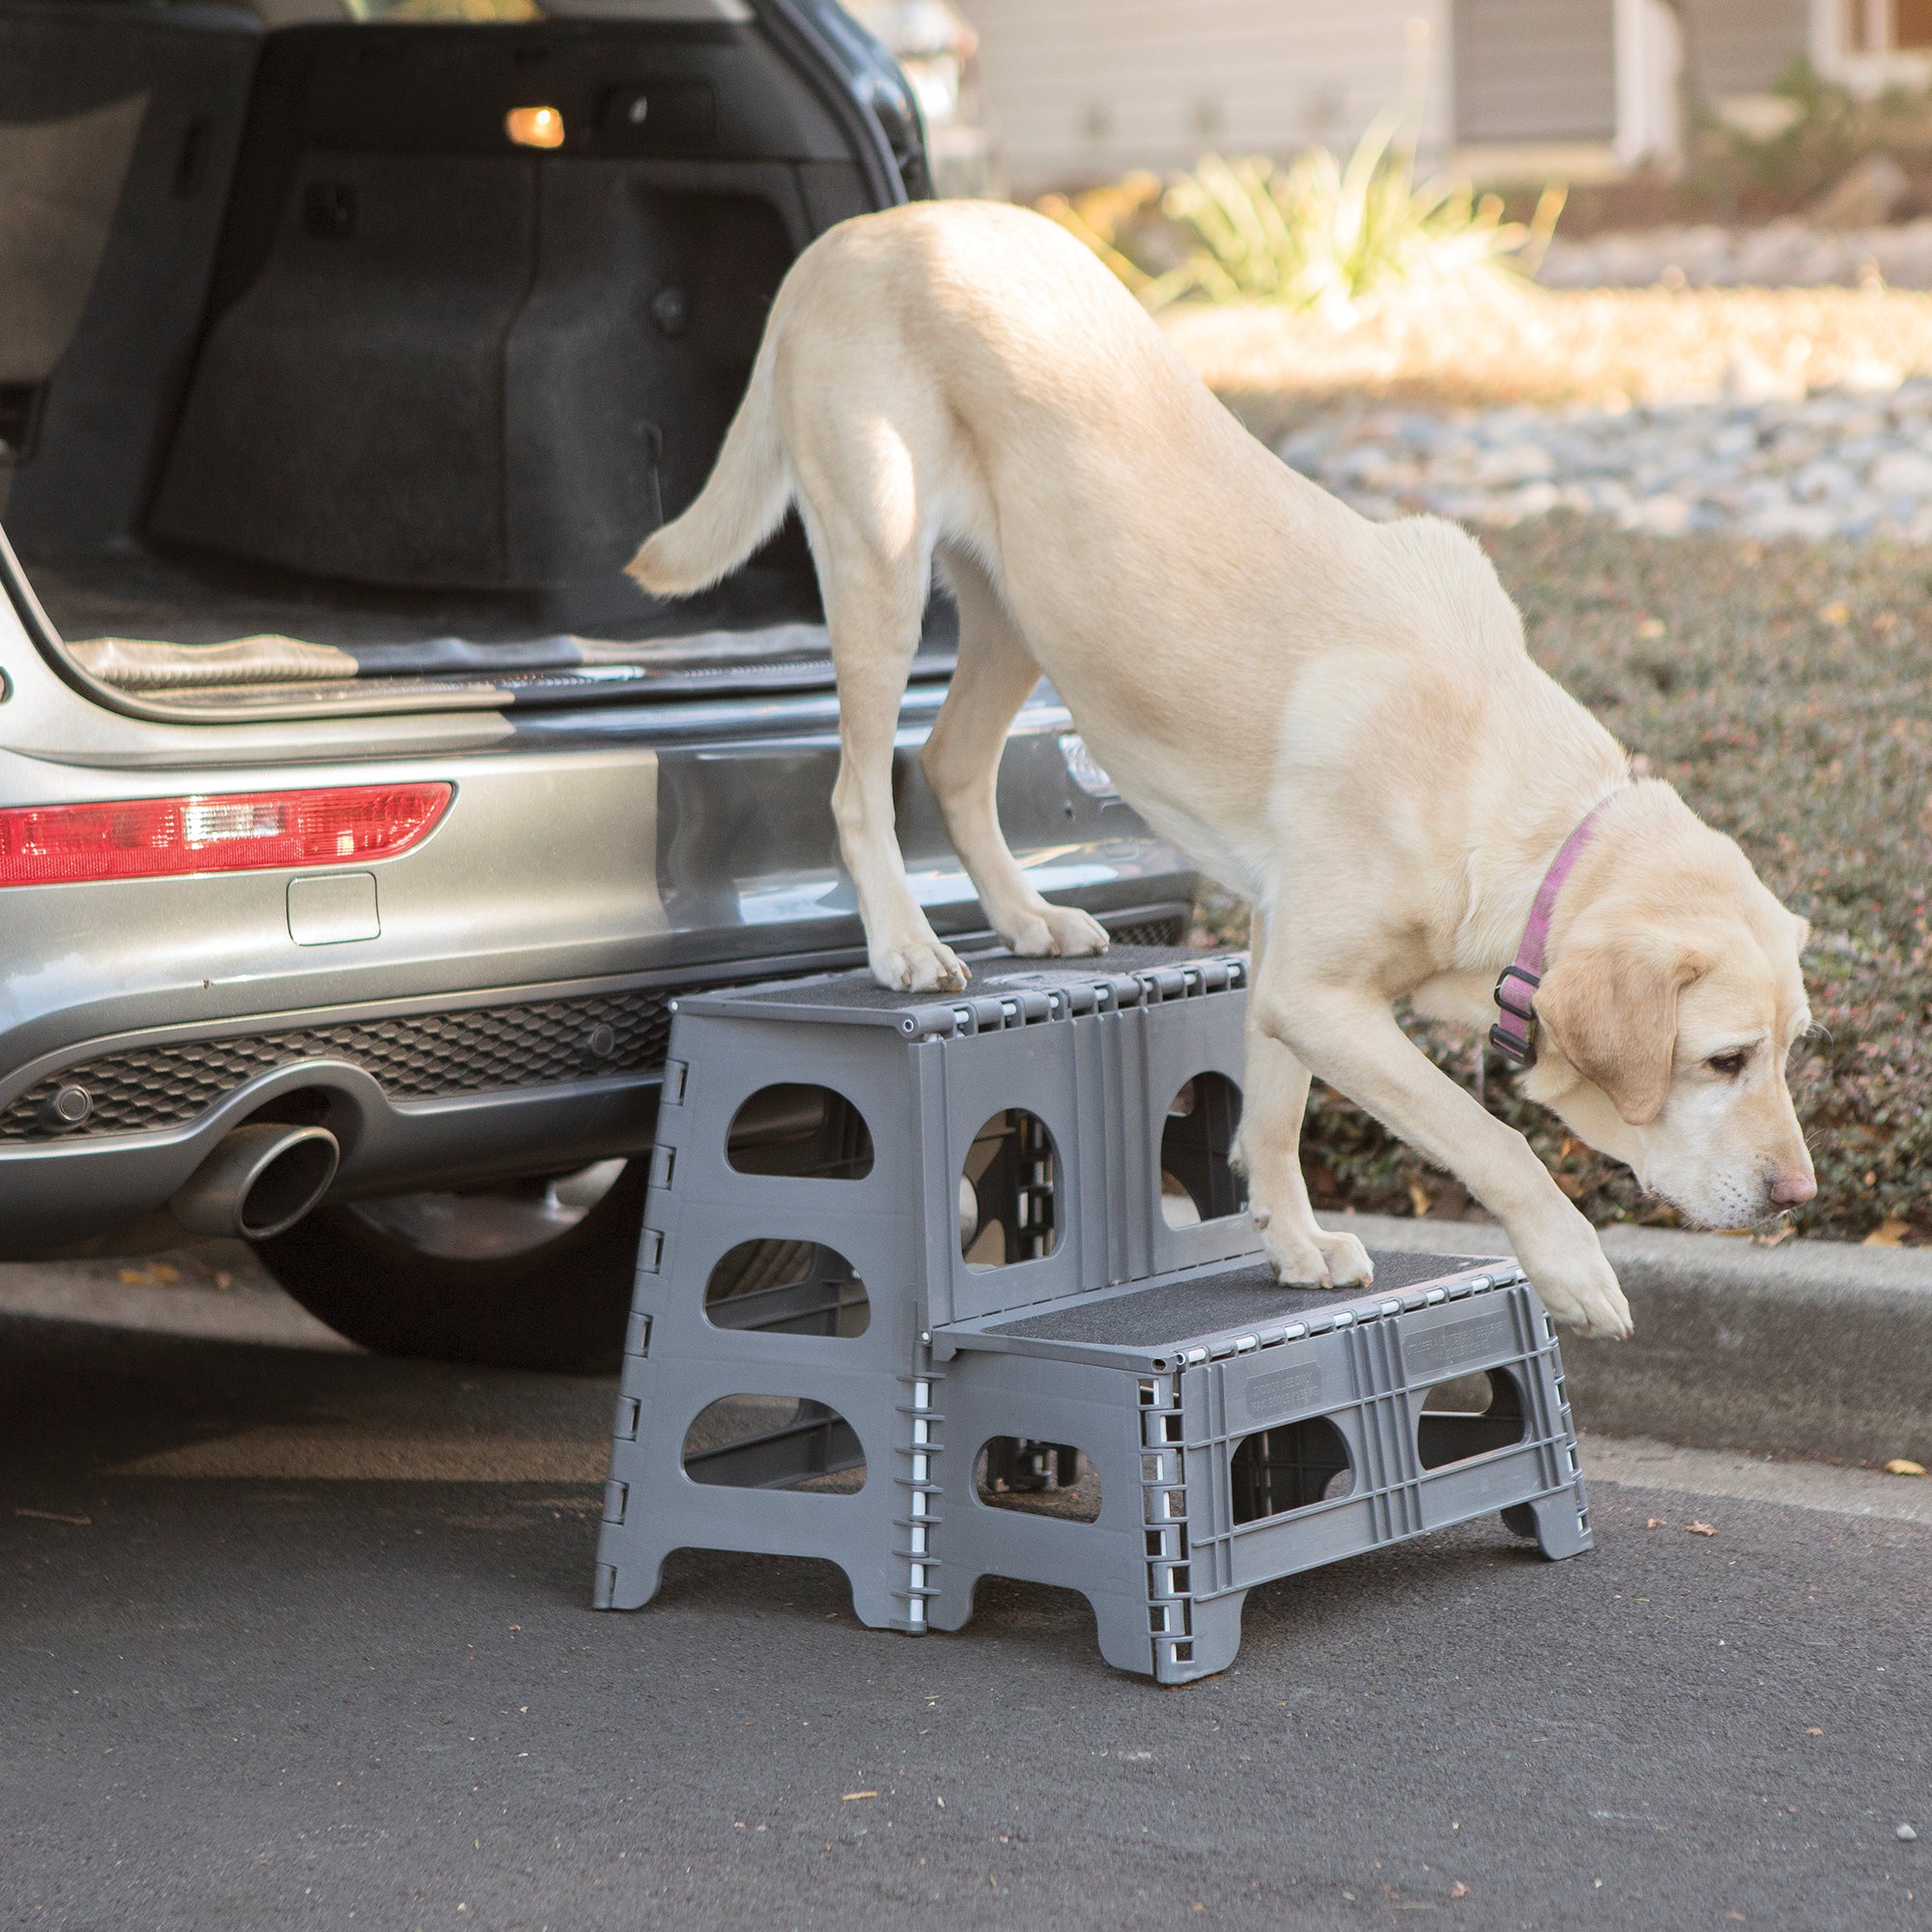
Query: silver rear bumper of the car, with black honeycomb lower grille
x=511, y=1013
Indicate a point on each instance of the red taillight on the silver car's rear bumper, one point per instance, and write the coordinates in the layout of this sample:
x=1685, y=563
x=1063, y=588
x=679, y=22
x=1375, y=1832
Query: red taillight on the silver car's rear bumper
x=239, y=832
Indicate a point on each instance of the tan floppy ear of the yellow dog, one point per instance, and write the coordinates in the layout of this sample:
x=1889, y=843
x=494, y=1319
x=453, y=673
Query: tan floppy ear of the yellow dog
x=1610, y=1008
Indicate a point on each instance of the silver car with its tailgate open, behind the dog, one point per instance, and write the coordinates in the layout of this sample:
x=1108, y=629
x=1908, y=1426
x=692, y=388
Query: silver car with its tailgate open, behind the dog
x=358, y=818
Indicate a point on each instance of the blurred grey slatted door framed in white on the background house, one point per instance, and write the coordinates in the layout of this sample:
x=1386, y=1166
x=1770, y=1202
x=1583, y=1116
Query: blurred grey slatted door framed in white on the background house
x=1535, y=71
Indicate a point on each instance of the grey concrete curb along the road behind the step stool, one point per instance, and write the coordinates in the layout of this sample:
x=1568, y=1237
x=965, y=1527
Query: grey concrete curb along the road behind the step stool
x=1815, y=1350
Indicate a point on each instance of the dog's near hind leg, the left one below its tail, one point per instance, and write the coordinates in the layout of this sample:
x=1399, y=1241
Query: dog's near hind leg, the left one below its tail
x=874, y=606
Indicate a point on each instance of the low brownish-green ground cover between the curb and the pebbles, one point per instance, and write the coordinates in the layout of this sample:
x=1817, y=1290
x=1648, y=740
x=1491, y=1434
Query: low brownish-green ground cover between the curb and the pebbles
x=1786, y=691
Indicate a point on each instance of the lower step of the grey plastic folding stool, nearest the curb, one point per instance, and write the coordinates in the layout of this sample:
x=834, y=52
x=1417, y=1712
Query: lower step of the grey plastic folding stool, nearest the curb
x=1222, y=1431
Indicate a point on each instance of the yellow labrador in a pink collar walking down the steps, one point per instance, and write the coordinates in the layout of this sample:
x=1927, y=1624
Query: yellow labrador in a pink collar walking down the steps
x=1336, y=718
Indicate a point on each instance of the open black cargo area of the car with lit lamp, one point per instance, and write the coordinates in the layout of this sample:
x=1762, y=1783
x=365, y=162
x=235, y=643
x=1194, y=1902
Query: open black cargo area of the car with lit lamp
x=314, y=376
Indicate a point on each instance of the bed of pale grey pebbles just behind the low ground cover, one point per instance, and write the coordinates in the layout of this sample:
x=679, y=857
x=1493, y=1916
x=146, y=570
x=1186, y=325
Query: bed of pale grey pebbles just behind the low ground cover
x=1834, y=465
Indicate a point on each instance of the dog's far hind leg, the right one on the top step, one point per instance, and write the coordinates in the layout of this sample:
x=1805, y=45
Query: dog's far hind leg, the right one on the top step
x=961, y=760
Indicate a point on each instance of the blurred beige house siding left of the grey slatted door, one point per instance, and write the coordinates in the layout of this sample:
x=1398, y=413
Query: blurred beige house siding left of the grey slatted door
x=1089, y=90
